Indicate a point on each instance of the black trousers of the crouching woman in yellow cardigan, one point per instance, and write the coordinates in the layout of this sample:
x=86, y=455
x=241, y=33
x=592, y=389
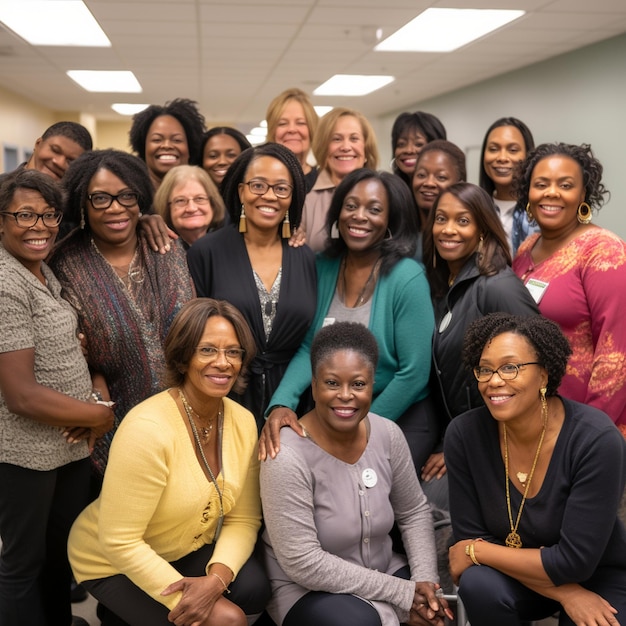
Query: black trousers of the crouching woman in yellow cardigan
x=125, y=604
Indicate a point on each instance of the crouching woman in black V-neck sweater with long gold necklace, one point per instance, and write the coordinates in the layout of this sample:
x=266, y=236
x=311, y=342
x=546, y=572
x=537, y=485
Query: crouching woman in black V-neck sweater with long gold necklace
x=535, y=484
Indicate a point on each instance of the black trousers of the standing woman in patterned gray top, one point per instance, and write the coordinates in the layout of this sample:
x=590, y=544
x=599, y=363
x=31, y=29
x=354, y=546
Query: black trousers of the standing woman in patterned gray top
x=37, y=509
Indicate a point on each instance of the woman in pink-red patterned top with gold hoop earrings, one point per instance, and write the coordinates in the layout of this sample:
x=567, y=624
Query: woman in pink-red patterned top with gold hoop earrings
x=575, y=271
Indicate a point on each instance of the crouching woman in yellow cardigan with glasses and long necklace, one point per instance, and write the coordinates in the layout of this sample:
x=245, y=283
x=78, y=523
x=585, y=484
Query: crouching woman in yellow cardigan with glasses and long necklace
x=179, y=512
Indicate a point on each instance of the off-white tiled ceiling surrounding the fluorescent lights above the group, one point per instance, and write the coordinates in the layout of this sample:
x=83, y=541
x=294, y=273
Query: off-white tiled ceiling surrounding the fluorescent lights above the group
x=234, y=56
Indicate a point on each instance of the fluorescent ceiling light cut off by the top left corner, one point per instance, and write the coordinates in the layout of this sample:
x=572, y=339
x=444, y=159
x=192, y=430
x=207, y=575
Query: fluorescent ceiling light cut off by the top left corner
x=53, y=23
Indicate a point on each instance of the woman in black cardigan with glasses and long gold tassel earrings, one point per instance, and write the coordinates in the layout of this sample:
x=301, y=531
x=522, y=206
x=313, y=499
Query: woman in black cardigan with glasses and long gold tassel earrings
x=250, y=263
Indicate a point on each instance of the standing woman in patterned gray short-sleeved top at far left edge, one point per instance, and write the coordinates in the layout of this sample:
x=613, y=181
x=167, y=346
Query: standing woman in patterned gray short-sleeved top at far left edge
x=47, y=423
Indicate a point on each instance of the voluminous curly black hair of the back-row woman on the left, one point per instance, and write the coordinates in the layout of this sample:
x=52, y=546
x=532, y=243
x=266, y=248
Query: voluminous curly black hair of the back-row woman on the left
x=185, y=111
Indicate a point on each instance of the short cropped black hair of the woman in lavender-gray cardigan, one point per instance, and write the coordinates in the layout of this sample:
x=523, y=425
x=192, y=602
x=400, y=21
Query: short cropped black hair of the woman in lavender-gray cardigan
x=343, y=336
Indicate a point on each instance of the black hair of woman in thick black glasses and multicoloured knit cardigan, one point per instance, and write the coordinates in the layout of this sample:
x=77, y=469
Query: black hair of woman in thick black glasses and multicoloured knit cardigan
x=128, y=168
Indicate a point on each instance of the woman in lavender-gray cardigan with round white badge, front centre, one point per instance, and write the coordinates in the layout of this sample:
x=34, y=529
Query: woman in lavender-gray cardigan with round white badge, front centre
x=331, y=498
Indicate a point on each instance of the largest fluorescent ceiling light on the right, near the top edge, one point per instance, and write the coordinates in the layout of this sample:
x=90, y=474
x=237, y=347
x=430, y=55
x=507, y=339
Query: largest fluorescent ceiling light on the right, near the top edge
x=444, y=30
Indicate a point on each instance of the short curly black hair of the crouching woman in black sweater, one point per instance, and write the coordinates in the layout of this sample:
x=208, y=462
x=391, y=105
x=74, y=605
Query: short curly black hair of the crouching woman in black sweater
x=544, y=335
